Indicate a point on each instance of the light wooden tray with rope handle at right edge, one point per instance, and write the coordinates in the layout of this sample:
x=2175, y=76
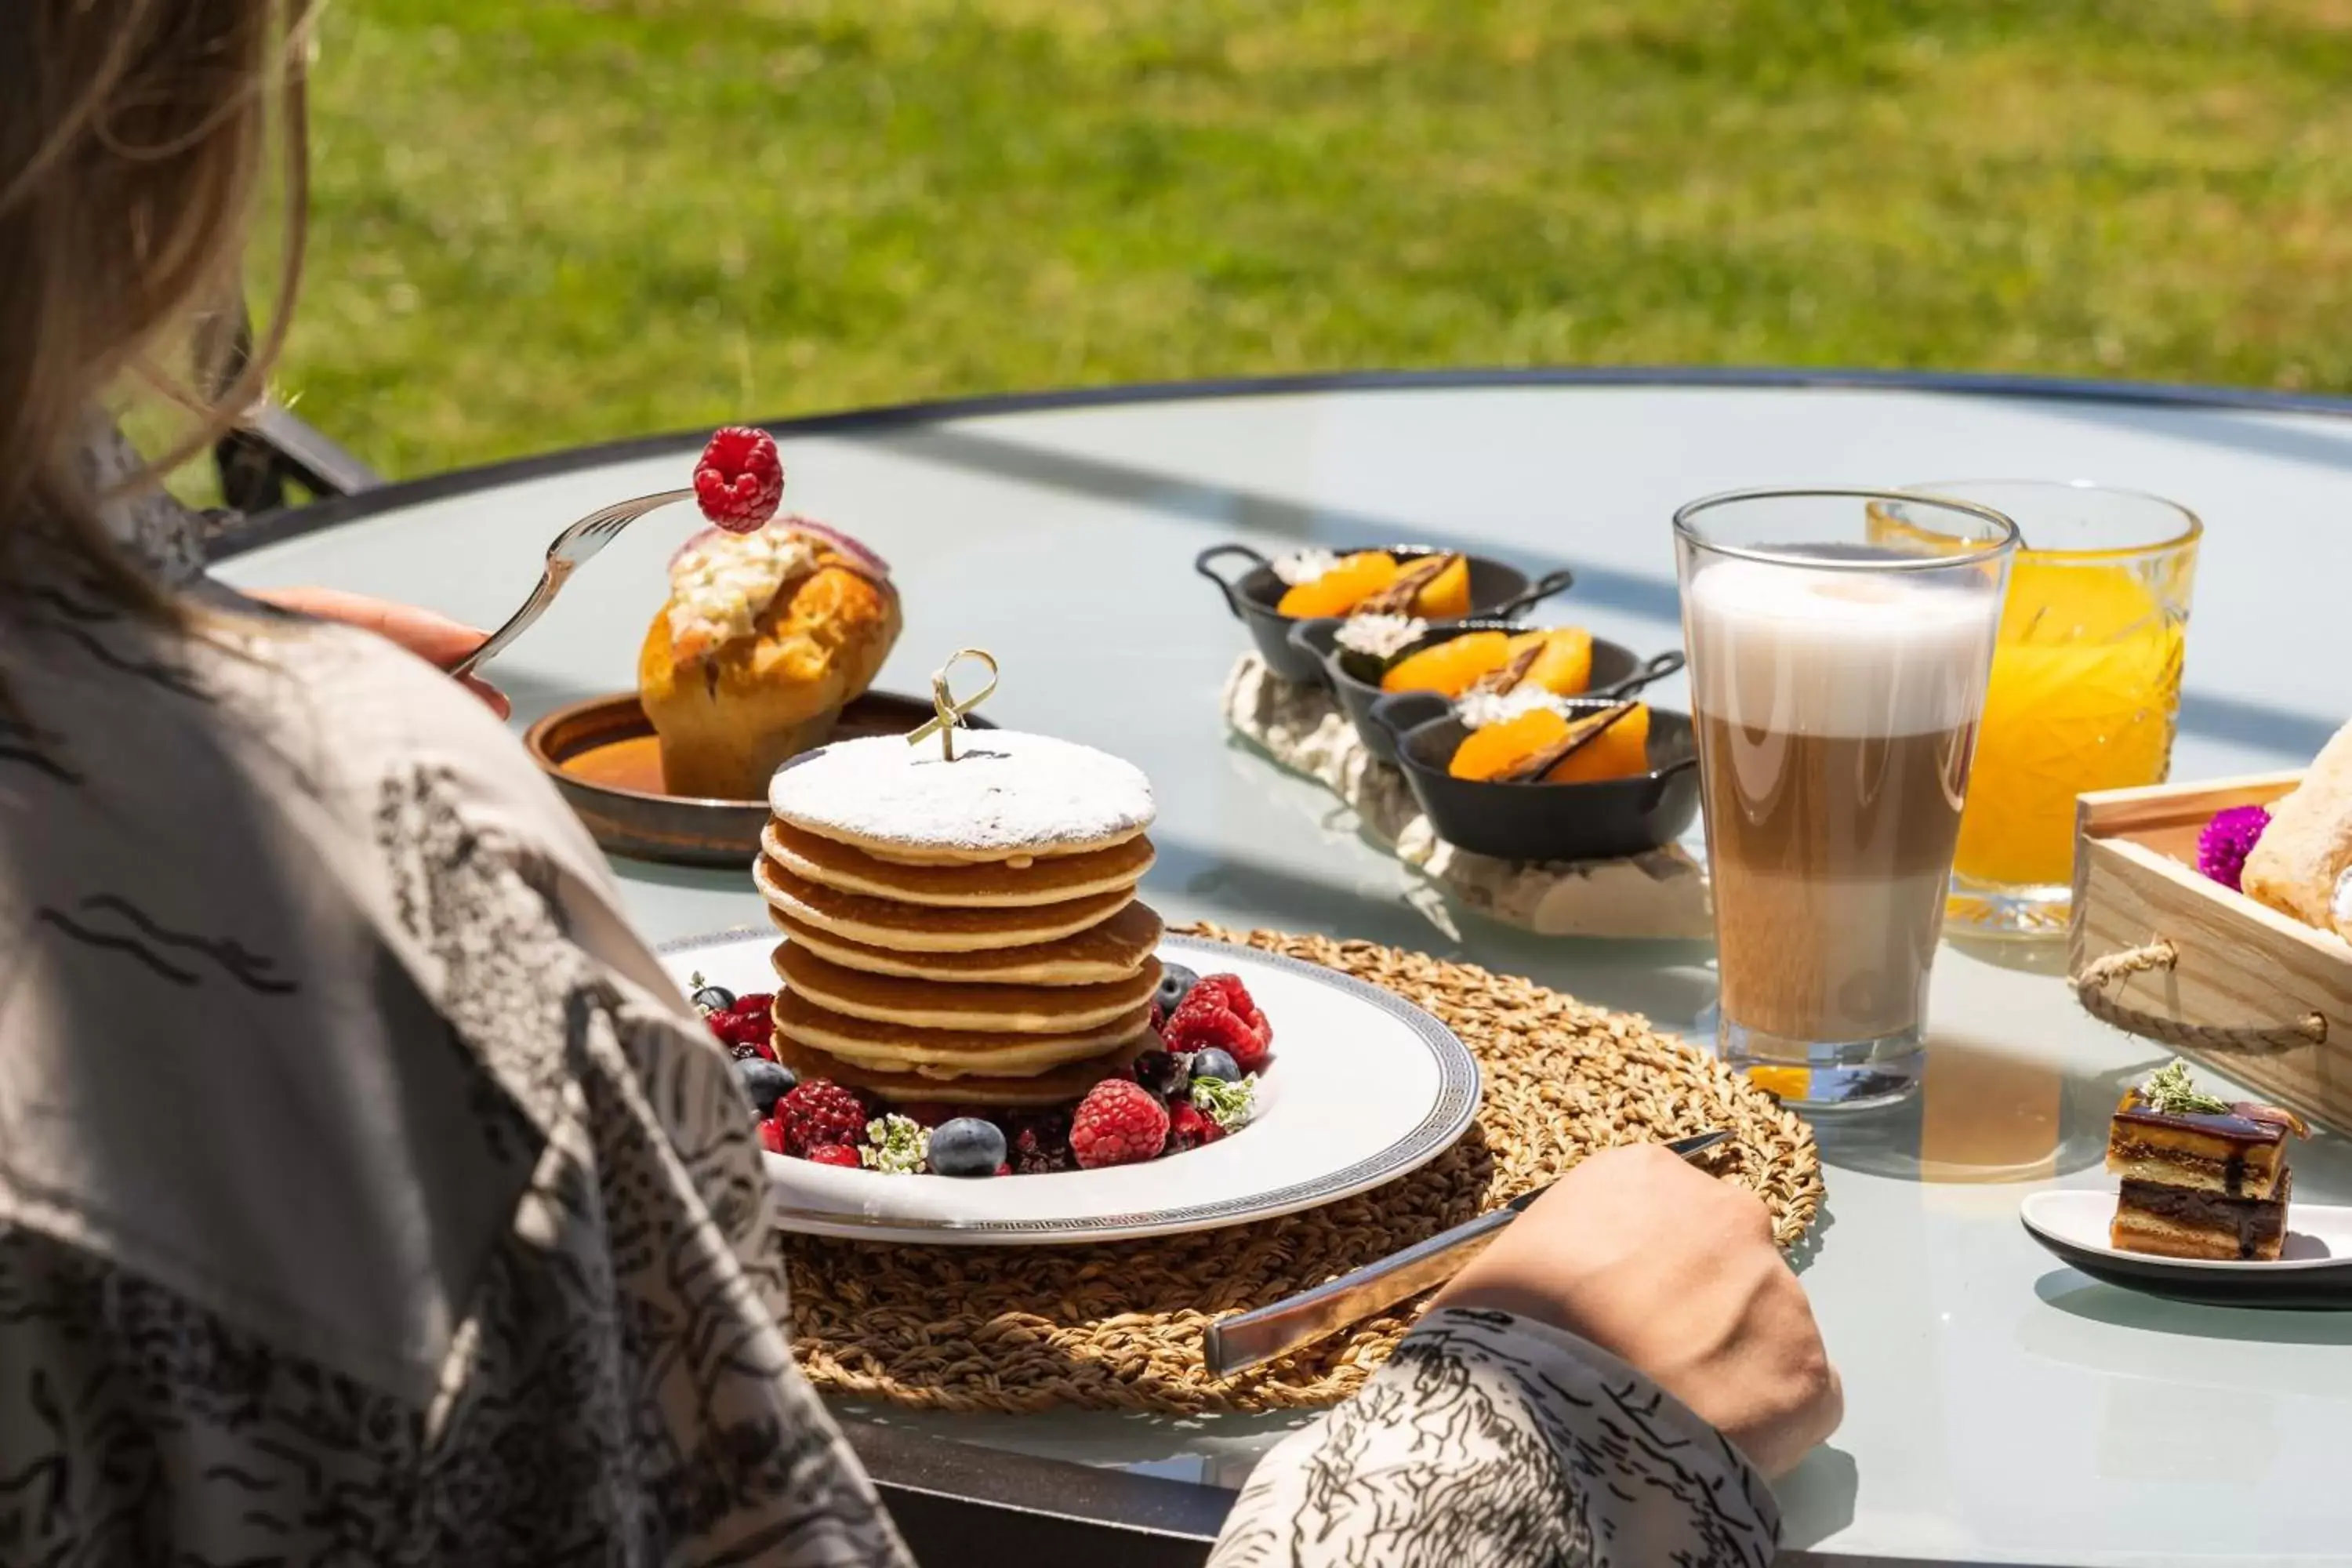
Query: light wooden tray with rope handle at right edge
x=2167, y=953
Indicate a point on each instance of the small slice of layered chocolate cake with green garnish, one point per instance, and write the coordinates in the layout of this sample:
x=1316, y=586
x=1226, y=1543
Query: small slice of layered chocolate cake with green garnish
x=2203, y=1177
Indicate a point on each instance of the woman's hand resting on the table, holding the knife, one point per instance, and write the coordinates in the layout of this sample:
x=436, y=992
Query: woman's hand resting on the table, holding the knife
x=1673, y=1273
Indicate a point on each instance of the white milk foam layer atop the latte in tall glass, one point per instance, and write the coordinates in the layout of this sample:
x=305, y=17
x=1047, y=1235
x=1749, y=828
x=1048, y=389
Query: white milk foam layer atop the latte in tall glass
x=1824, y=652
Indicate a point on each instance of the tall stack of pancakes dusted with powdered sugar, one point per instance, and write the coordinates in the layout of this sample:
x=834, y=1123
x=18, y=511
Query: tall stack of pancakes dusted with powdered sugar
x=961, y=930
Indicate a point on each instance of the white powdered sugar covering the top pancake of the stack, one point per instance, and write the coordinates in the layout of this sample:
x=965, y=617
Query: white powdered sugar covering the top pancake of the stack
x=1003, y=796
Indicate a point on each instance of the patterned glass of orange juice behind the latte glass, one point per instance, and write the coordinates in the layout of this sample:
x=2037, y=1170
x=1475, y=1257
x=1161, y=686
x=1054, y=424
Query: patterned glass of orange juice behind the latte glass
x=2085, y=683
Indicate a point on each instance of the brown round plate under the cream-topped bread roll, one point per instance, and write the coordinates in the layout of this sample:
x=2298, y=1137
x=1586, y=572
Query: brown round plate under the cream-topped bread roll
x=608, y=768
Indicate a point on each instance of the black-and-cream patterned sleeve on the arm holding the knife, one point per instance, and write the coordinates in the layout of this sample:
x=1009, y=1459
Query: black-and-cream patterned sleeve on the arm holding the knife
x=1492, y=1440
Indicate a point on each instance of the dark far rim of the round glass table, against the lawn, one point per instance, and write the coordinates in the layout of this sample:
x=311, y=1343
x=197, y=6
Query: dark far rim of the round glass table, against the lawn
x=293, y=523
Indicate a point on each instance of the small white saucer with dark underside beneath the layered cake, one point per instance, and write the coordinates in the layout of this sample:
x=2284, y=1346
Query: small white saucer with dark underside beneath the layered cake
x=2313, y=1268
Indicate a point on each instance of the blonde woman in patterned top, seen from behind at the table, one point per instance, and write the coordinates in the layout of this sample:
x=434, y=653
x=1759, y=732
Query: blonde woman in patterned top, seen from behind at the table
x=366, y=1188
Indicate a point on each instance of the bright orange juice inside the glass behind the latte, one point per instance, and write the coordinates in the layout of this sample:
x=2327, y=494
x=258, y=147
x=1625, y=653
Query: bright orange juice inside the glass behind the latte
x=2083, y=697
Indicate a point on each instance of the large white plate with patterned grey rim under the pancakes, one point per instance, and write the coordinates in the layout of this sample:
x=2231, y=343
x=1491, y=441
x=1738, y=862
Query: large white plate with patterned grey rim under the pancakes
x=1363, y=1090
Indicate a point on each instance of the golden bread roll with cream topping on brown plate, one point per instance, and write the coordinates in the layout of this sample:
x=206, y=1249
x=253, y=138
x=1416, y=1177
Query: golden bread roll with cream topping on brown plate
x=735, y=685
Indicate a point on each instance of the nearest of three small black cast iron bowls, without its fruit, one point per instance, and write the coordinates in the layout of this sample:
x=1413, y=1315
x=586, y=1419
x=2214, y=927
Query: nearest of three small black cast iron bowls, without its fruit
x=1544, y=822
